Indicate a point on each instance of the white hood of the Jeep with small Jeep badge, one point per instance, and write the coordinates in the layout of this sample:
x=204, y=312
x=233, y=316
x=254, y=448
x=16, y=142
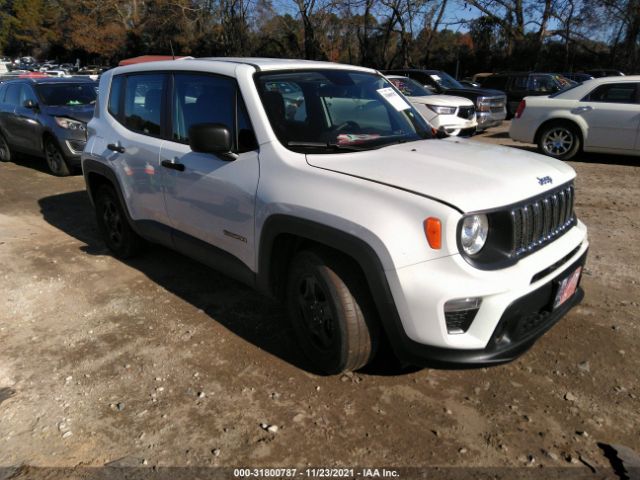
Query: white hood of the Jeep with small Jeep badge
x=465, y=174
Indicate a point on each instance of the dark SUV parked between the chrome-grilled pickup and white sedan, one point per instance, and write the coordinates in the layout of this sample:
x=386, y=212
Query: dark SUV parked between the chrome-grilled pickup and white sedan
x=518, y=85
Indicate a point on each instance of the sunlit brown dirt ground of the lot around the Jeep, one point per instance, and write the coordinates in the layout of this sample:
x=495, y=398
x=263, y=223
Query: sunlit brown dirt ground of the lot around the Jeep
x=161, y=362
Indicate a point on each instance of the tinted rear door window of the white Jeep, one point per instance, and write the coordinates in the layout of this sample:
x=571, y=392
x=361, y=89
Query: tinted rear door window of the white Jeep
x=143, y=103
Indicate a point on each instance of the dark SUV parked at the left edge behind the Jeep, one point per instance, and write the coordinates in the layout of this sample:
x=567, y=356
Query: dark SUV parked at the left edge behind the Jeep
x=46, y=117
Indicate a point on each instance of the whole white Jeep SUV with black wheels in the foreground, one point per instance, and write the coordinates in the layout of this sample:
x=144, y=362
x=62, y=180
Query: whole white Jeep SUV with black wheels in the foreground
x=320, y=184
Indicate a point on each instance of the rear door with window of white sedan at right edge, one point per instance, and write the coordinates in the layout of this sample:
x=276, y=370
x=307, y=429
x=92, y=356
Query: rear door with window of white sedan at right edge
x=612, y=113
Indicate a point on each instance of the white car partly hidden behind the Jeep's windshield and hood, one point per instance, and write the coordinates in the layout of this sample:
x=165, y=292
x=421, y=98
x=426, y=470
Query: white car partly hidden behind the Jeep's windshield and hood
x=457, y=115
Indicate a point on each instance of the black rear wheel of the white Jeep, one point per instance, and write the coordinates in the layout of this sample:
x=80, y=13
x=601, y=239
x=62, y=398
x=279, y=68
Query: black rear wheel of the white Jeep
x=114, y=226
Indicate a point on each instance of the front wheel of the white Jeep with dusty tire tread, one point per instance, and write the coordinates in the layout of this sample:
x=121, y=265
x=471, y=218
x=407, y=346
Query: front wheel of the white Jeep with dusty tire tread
x=332, y=312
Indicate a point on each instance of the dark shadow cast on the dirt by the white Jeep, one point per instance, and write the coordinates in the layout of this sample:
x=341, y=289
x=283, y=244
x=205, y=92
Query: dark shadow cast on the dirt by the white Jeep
x=248, y=314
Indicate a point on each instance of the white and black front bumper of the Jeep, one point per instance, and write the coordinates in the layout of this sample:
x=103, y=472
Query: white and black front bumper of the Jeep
x=515, y=310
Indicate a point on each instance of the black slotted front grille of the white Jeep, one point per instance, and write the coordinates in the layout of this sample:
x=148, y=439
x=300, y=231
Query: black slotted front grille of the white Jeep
x=541, y=220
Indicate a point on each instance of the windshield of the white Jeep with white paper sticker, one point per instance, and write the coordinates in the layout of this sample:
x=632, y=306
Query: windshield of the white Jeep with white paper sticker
x=335, y=110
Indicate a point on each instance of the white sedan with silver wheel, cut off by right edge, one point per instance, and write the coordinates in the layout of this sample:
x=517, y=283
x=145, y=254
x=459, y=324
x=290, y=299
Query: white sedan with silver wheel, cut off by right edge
x=601, y=115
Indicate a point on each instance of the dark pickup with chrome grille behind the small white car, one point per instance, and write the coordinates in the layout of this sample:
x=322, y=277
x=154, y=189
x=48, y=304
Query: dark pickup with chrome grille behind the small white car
x=490, y=104
